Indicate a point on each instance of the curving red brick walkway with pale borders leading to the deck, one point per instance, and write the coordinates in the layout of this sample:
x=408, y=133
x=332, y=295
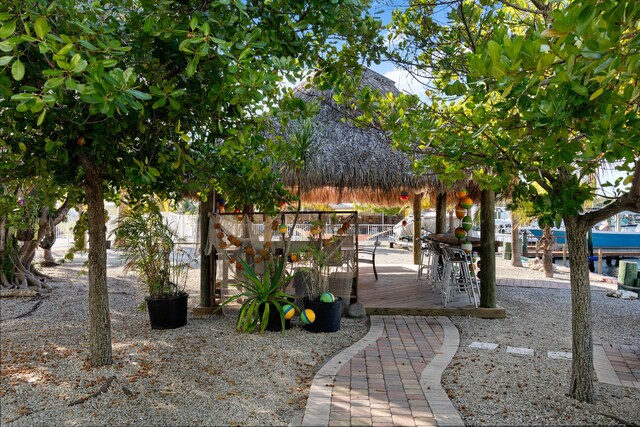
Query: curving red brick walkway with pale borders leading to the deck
x=390, y=378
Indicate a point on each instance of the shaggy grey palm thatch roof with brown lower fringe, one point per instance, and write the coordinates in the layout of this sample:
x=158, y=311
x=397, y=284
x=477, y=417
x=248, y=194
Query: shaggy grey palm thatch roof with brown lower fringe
x=356, y=163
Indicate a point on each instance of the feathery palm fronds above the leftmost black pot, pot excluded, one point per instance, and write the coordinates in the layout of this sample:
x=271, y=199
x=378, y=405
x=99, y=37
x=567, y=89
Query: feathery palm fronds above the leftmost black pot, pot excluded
x=146, y=244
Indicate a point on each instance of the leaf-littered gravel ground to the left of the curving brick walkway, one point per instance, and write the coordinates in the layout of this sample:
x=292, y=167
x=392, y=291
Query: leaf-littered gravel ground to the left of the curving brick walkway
x=205, y=373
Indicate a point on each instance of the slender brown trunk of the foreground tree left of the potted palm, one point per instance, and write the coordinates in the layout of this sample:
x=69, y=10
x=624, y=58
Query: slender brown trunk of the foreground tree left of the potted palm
x=99, y=319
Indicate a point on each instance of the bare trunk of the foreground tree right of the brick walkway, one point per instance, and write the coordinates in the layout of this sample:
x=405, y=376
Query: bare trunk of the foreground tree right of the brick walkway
x=582, y=363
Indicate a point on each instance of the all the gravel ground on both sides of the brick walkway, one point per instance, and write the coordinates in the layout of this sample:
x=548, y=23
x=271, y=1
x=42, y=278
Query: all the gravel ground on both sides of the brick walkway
x=207, y=374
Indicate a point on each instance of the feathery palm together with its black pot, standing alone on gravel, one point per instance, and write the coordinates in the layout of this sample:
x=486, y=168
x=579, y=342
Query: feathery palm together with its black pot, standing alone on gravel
x=147, y=245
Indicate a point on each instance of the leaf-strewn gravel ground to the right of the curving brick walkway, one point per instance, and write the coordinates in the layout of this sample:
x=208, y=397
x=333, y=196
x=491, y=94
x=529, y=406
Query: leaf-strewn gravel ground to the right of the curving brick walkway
x=498, y=388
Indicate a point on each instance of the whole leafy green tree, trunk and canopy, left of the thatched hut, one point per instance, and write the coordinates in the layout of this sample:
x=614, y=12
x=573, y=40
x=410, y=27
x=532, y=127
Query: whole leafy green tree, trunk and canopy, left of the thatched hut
x=148, y=96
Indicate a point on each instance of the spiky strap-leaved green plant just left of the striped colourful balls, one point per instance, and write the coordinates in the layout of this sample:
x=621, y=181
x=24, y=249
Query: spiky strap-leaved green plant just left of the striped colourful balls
x=263, y=293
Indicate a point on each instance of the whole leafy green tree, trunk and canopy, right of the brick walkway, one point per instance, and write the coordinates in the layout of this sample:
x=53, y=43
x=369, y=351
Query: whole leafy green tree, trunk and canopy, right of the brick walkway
x=543, y=92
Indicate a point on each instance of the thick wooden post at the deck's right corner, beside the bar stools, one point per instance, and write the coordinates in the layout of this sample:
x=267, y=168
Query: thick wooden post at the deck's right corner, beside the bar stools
x=488, y=249
